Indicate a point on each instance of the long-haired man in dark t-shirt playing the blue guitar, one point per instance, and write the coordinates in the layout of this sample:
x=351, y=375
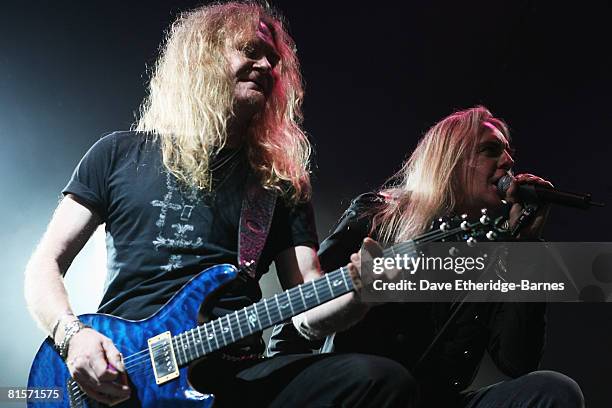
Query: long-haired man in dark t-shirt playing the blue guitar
x=222, y=115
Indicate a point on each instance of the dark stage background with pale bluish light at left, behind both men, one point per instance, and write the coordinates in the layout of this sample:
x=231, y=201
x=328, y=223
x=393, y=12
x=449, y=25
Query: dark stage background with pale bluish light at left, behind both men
x=377, y=76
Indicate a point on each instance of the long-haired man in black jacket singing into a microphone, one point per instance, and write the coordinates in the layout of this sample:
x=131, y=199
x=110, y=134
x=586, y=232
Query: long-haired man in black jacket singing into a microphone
x=453, y=170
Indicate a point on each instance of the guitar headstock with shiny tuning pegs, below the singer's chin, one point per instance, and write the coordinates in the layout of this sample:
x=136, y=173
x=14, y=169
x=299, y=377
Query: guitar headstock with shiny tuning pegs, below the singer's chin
x=462, y=229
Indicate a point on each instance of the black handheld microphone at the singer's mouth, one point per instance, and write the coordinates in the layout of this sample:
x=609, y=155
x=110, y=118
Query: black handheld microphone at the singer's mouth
x=536, y=193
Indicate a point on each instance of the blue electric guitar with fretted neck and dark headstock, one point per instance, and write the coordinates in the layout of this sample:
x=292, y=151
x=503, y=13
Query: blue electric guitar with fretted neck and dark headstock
x=158, y=350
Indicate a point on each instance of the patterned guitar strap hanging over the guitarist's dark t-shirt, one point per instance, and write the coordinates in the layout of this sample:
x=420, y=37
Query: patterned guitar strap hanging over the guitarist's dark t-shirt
x=255, y=220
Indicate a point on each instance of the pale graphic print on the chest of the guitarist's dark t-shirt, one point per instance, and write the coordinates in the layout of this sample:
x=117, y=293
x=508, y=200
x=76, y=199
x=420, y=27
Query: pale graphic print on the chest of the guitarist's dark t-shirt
x=184, y=236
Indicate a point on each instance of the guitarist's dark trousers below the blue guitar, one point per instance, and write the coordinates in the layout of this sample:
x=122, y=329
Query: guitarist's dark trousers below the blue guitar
x=324, y=380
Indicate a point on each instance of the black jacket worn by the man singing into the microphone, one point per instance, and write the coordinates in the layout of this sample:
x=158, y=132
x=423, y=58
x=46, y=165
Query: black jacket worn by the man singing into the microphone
x=513, y=333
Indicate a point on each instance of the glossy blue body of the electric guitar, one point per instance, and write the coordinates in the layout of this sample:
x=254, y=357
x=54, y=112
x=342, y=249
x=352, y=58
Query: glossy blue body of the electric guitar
x=130, y=337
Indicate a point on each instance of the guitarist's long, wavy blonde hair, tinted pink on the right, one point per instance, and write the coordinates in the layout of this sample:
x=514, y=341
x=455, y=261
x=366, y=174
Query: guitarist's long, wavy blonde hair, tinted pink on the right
x=191, y=91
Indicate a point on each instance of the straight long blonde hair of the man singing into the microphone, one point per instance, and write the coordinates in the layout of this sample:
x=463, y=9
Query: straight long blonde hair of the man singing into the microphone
x=429, y=183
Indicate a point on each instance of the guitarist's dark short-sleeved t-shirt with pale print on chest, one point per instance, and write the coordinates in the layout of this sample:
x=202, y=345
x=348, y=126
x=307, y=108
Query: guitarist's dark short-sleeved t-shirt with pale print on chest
x=160, y=233
